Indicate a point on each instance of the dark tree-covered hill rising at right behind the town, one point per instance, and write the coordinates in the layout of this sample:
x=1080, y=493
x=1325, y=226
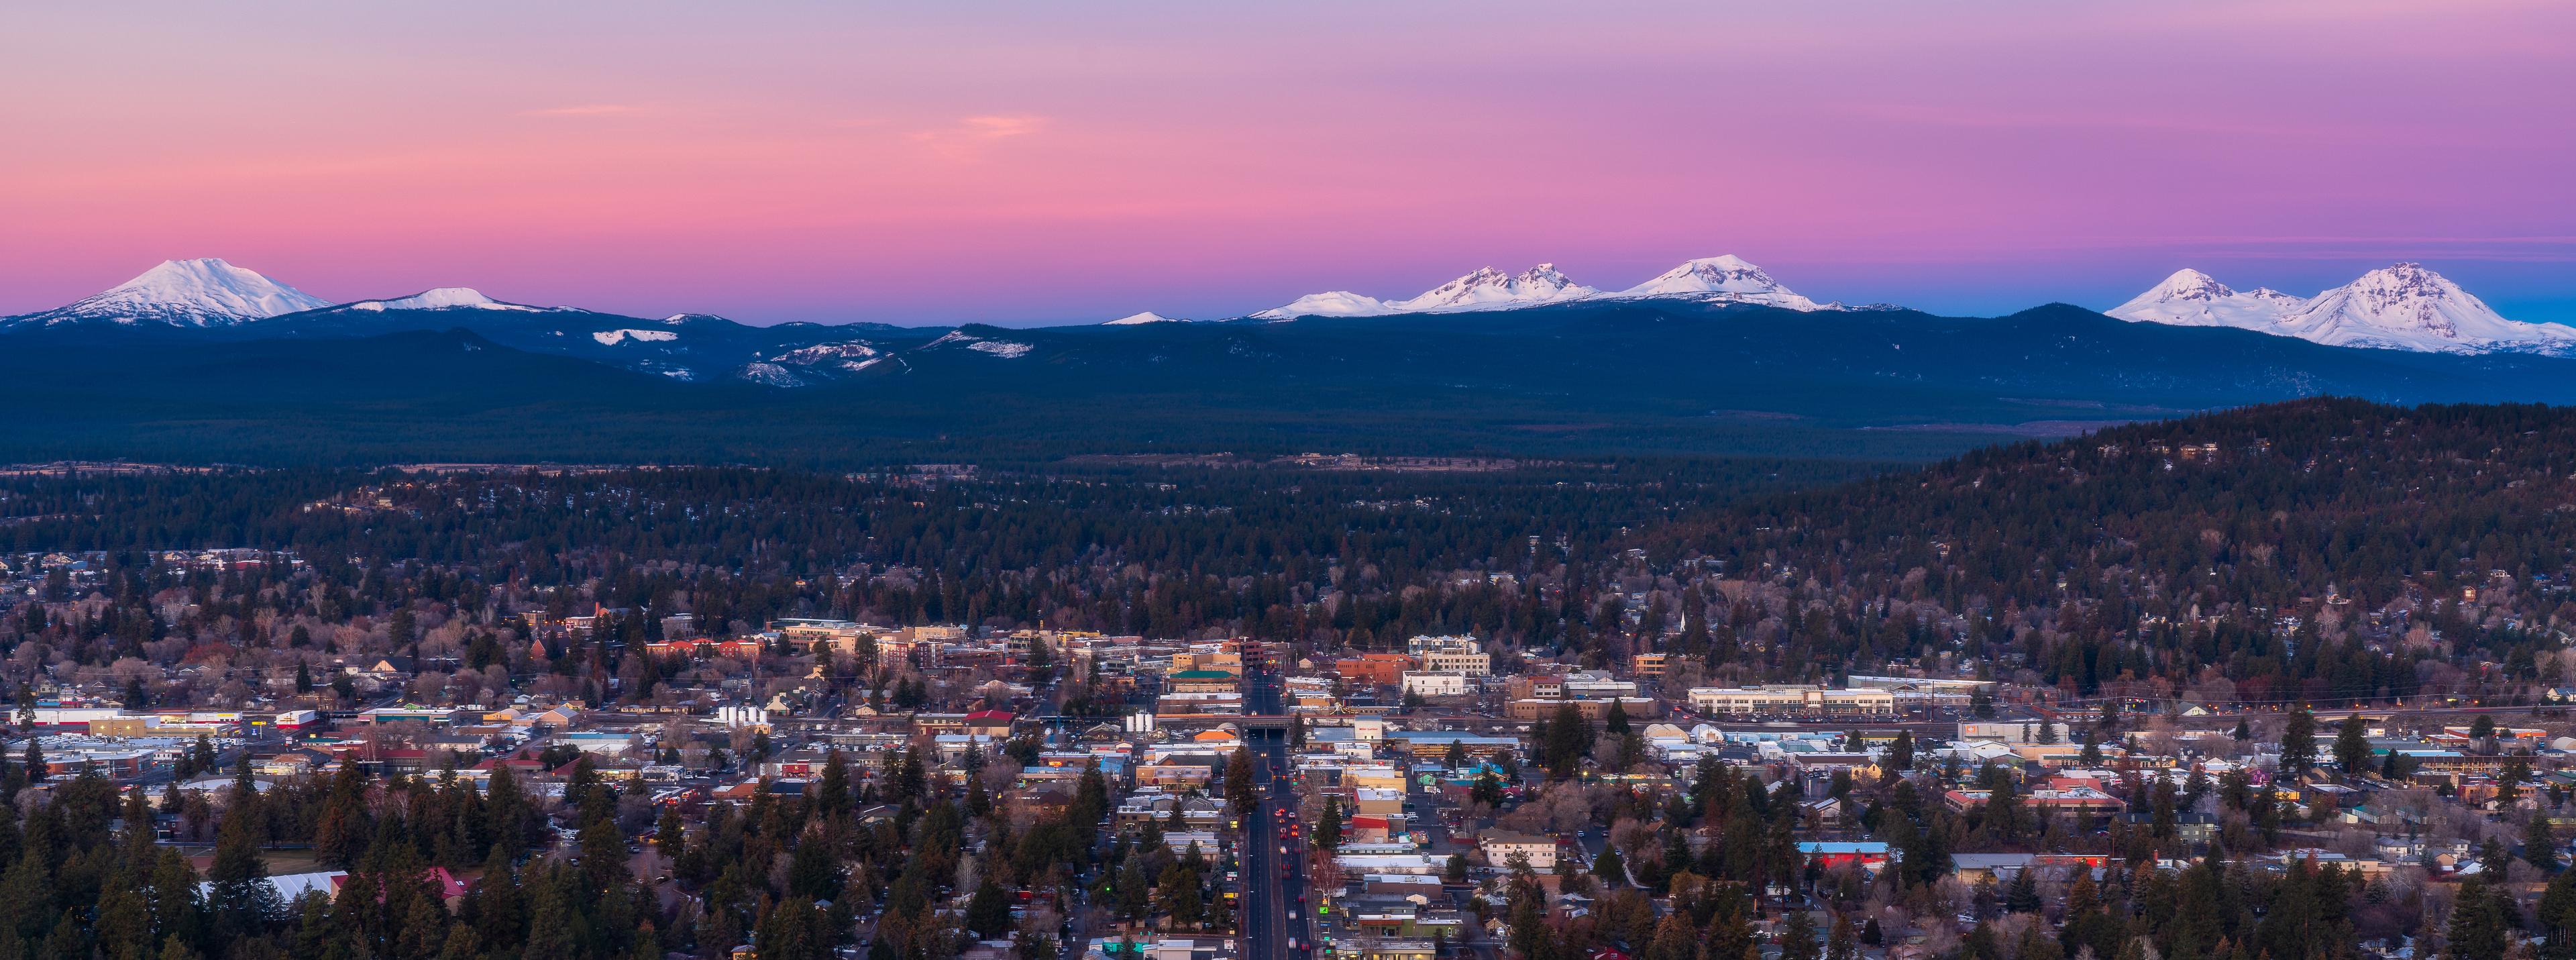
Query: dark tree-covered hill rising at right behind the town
x=2312, y=549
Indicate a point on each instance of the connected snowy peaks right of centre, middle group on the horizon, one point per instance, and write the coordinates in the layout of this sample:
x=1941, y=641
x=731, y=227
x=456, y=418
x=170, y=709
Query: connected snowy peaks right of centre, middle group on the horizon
x=1709, y=282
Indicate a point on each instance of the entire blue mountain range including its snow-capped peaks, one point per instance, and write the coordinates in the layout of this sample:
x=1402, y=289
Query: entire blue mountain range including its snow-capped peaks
x=200, y=359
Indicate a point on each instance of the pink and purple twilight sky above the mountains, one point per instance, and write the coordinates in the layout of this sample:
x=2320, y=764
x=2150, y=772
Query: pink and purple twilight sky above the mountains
x=1086, y=161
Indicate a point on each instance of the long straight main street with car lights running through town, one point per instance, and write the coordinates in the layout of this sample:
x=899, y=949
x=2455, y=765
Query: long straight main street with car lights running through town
x=1274, y=879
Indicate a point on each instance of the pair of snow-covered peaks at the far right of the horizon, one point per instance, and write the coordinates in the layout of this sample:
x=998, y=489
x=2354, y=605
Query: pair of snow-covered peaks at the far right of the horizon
x=2400, y=308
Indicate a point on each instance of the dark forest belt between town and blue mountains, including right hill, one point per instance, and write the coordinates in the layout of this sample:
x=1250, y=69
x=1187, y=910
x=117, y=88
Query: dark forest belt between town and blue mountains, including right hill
x=2312, y=549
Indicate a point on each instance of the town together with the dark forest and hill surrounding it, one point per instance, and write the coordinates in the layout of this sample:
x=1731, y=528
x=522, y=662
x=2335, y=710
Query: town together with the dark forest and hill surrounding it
x=1555, y=712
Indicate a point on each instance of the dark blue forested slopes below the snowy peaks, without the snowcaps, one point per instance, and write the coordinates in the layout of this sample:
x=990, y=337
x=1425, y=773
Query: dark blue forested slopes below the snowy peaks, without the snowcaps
x=1567, y=382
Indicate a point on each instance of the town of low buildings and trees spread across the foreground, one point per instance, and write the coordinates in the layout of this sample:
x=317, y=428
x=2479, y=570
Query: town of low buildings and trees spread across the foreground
x=944, y=791
